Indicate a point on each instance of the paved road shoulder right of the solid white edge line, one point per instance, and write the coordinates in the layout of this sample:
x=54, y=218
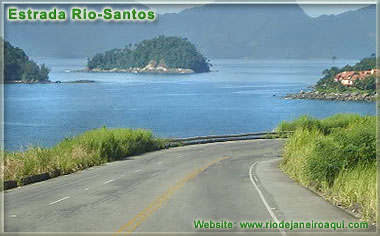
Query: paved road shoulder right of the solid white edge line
x=291, y=201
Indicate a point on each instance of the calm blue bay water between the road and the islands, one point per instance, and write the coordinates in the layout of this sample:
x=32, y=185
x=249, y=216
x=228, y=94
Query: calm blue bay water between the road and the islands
x=241, y=96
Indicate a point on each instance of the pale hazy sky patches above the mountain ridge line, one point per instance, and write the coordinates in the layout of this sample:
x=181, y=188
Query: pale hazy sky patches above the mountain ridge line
x=312, y=10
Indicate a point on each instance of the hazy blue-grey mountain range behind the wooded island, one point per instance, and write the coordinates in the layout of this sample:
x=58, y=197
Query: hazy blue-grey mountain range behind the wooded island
x=253, y=31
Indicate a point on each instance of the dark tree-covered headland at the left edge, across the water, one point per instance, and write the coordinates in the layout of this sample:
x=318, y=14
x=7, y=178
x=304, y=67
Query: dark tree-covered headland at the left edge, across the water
x=18, y=66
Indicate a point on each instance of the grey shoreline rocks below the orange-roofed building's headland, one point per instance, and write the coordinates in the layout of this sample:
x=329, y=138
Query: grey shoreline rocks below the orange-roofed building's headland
x=345, y=96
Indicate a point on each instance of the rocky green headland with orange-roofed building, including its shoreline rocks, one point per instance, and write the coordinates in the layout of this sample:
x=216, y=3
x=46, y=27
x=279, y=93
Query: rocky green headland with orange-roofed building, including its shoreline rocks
x=350, y=83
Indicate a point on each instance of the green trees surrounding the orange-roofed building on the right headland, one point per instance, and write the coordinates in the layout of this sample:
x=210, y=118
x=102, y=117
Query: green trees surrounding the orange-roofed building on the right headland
x=368, y=85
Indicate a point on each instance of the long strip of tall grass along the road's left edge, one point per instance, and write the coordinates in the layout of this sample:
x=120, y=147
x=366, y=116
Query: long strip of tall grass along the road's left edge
x=92, y=148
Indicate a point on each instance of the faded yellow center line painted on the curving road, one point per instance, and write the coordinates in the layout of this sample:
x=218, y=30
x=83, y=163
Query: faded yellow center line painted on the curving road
x=136, y=221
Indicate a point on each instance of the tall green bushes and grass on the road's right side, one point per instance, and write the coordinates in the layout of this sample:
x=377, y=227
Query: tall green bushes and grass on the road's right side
x=337, y=157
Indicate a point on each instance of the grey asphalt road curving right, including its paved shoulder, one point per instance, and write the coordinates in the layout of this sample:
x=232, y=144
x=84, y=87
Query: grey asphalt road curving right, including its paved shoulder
x=165, y=191
